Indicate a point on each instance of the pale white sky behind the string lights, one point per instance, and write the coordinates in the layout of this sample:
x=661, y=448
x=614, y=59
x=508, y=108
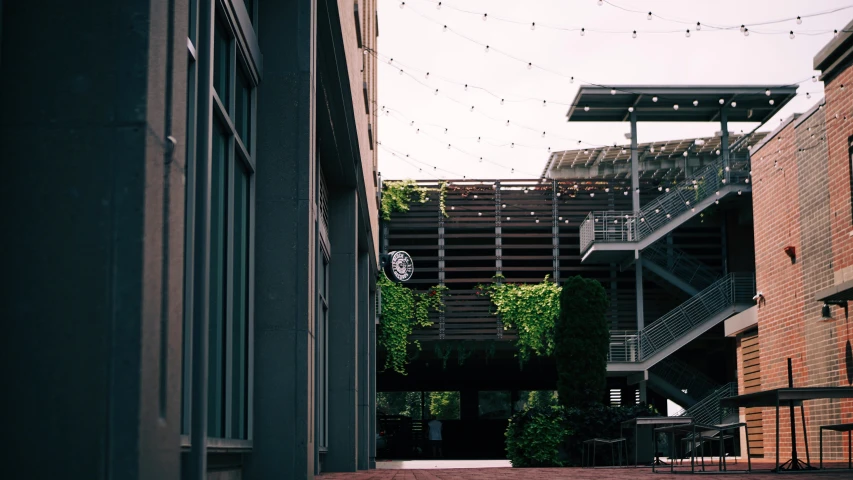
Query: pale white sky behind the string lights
x=708, y=57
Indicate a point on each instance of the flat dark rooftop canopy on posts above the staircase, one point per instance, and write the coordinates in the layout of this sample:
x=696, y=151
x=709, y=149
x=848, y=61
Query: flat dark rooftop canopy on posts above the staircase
x=745, y=103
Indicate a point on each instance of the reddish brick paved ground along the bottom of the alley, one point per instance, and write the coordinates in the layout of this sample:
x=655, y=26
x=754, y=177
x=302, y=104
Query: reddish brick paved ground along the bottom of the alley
x=561, y=473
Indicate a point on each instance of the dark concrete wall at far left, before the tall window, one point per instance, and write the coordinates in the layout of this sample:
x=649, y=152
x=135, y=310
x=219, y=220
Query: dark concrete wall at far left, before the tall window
x=93, y=236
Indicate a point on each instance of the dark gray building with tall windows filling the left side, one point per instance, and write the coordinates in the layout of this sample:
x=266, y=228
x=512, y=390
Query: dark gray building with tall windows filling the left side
x=191, y=229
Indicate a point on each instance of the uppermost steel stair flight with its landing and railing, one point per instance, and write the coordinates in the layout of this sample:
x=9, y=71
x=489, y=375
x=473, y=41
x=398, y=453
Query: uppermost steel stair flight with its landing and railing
x=609, y=235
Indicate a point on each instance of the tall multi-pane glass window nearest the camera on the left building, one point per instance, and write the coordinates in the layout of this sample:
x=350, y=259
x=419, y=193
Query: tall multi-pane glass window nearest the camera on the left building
x=227, y=210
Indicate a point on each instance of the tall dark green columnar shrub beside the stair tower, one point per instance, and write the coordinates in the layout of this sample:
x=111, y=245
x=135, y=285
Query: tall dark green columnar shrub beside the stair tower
x=582, y=340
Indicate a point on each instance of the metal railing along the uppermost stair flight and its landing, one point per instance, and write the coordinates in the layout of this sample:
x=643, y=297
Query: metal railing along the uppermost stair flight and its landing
x=706, y=182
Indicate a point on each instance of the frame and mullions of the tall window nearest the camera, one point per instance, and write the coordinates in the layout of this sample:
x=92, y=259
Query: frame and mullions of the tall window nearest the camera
x=243, y=53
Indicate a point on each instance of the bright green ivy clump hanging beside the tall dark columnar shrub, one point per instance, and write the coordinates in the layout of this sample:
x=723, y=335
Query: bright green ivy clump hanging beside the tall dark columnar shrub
x=529, y=308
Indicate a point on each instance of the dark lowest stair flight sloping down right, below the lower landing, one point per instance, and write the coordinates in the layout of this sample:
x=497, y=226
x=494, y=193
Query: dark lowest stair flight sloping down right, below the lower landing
x=680, y=382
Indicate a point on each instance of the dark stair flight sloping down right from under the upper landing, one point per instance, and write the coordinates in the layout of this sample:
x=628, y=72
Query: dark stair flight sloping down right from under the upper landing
x=678, y=268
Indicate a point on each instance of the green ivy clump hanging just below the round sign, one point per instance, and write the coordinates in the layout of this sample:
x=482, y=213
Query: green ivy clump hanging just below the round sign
x=402, y=310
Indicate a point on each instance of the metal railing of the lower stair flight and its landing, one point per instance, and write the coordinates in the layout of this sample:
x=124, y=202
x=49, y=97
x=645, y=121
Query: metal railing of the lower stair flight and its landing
x=633, y=346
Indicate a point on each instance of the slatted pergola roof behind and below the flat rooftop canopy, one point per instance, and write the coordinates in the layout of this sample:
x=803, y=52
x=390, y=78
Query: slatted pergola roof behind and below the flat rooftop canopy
x=649, y=152
